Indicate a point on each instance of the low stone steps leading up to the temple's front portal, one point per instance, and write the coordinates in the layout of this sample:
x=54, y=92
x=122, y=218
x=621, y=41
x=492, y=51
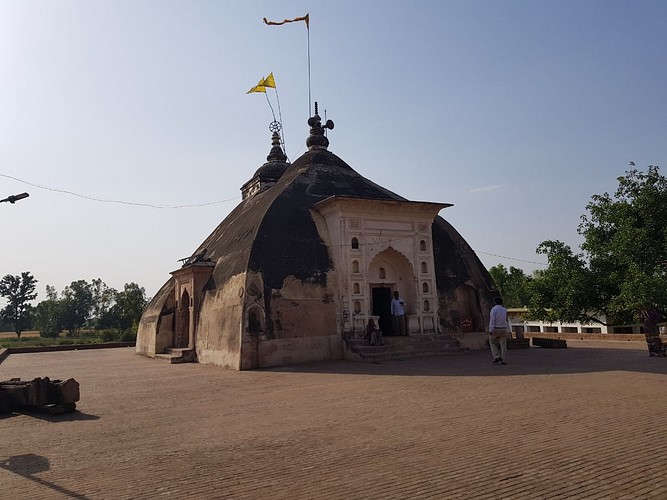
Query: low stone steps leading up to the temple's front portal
x=413, y=346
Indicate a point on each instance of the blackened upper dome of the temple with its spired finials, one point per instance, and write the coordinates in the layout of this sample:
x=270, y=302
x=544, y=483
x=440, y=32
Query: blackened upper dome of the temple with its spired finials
x=273, y=231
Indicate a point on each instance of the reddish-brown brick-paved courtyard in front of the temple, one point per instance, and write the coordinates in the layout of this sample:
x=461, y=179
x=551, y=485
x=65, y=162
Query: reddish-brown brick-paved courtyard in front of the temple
x=584, y=422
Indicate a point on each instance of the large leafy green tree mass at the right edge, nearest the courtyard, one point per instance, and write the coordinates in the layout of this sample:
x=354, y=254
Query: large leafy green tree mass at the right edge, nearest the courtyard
x=622, y=267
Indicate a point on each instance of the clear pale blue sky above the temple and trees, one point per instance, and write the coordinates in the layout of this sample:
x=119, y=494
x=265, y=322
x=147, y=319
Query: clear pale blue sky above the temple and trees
x=517, y=112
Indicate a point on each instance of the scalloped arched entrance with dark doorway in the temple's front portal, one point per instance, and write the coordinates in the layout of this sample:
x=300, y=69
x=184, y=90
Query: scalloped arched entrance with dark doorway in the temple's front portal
x=390, y=271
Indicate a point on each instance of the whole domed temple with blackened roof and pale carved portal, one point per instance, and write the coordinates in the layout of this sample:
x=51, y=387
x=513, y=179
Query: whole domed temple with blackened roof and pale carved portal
x=312, y=252
